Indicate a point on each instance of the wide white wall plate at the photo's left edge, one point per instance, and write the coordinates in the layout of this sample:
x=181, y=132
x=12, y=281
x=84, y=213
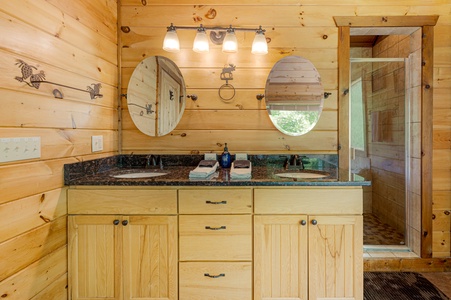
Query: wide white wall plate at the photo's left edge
x=19, y=148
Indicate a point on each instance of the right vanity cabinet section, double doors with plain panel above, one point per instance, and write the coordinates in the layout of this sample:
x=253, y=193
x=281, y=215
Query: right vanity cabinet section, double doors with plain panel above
x=308, y=244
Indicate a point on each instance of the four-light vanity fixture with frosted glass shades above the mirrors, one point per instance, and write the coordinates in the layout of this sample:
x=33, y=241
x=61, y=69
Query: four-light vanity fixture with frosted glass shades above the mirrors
x=229, y=44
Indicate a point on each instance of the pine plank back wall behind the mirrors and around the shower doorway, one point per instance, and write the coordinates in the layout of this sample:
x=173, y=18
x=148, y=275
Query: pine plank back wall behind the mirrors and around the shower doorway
x=303, y=28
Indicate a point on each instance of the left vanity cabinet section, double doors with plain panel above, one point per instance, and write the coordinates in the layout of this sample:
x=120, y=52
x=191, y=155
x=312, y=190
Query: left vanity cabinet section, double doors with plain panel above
x=120, y=248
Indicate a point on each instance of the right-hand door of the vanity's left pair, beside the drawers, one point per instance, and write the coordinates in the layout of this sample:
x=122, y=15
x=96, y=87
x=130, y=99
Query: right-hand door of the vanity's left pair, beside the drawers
x=150, y=257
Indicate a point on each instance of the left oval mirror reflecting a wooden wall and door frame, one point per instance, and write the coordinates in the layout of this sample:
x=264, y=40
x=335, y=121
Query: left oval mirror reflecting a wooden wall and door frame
x=156, y=96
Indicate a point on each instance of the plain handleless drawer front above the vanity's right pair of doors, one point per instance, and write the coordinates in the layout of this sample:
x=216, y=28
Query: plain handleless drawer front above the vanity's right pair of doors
x=311, y=200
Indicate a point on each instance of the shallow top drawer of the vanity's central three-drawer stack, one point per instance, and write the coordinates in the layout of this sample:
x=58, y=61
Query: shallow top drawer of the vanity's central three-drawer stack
x=215, y=201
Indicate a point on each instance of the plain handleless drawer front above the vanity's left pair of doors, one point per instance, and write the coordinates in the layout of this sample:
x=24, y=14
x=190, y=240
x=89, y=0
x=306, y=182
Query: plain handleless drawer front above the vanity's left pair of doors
x=103, y=201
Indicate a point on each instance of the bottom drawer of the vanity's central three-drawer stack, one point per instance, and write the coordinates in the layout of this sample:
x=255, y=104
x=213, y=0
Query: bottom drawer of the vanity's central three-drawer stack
x=215, y=280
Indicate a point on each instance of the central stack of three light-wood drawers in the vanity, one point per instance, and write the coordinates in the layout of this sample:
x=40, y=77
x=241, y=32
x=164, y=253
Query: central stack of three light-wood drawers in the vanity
x=215, y=236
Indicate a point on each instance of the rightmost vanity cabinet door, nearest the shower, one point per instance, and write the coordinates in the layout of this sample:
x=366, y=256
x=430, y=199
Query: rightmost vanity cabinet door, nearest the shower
x=335, y=257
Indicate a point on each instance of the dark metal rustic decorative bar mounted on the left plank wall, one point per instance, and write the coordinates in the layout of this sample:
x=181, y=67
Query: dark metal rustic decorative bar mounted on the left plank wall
x=35, y=79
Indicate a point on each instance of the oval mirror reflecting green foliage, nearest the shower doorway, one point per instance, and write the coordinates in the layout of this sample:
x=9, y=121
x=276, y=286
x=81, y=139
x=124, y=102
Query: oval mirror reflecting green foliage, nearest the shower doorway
x=294, y=95
